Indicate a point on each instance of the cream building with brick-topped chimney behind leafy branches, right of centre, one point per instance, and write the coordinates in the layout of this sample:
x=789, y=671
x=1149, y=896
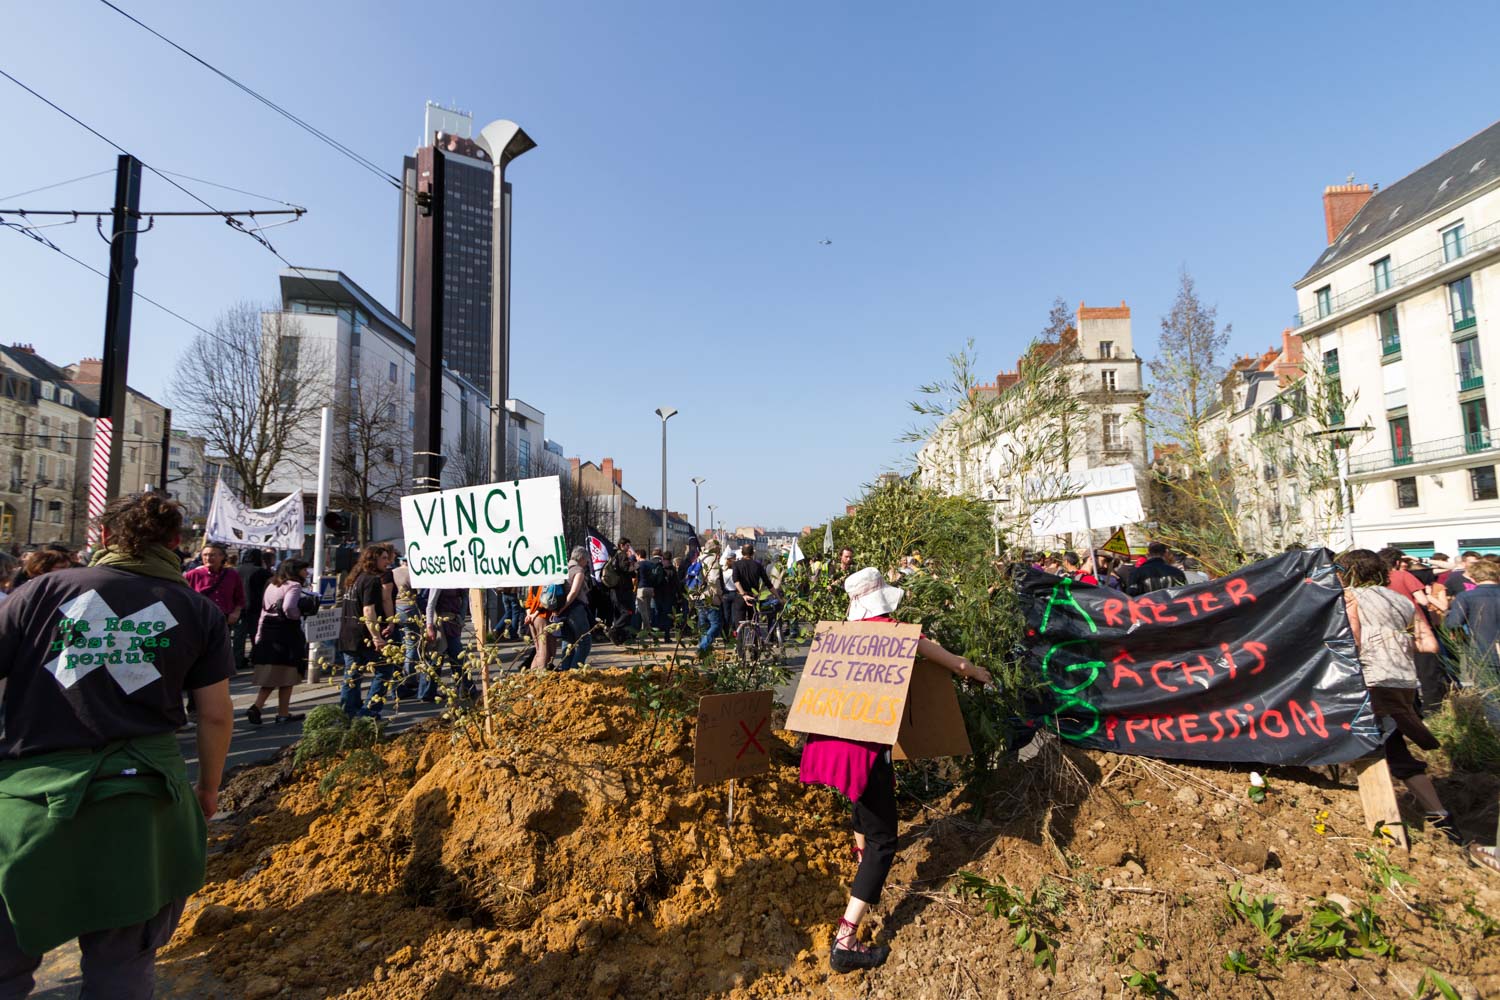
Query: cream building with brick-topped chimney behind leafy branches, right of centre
x=1103, y=373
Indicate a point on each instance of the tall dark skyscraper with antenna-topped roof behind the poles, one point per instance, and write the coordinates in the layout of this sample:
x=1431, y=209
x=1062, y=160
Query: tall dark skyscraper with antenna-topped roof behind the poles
x=467, y=244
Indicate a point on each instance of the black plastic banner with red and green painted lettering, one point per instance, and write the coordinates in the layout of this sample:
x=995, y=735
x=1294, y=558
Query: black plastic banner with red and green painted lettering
x=1258, y=666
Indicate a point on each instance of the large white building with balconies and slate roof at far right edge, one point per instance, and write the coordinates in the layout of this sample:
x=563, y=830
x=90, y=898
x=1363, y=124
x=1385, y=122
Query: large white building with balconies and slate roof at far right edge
x=1405, y=305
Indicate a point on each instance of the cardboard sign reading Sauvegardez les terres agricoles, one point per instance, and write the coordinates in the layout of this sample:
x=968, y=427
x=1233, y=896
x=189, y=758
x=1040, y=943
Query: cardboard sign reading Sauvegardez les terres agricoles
x=856, y=681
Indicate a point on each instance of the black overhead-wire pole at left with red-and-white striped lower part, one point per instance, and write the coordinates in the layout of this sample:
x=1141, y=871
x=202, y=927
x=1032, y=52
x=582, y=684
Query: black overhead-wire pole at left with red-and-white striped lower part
x=109, y=451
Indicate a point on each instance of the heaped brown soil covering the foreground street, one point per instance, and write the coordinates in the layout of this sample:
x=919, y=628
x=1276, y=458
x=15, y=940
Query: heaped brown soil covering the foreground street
x=572, y=860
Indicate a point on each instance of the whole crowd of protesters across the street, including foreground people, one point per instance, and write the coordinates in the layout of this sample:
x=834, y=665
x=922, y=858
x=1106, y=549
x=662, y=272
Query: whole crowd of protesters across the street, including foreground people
x=92, y=767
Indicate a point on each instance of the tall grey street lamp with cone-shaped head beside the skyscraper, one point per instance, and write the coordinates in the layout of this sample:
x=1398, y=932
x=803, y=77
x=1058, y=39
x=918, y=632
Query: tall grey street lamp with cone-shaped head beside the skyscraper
x=505, y=142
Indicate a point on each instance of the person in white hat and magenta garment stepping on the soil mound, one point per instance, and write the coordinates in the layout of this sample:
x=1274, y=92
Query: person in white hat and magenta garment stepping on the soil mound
x=865, y=774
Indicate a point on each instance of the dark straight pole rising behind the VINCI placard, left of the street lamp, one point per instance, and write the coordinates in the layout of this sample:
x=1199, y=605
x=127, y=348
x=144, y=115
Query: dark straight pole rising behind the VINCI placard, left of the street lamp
x=427, y=449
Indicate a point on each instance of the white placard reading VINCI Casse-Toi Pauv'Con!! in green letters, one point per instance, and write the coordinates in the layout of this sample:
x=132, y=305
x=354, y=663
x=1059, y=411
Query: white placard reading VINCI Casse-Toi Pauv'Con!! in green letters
x=505, y=534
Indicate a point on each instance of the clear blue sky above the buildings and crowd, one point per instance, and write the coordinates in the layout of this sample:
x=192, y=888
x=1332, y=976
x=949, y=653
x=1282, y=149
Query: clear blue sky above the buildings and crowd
x=970, y=163
